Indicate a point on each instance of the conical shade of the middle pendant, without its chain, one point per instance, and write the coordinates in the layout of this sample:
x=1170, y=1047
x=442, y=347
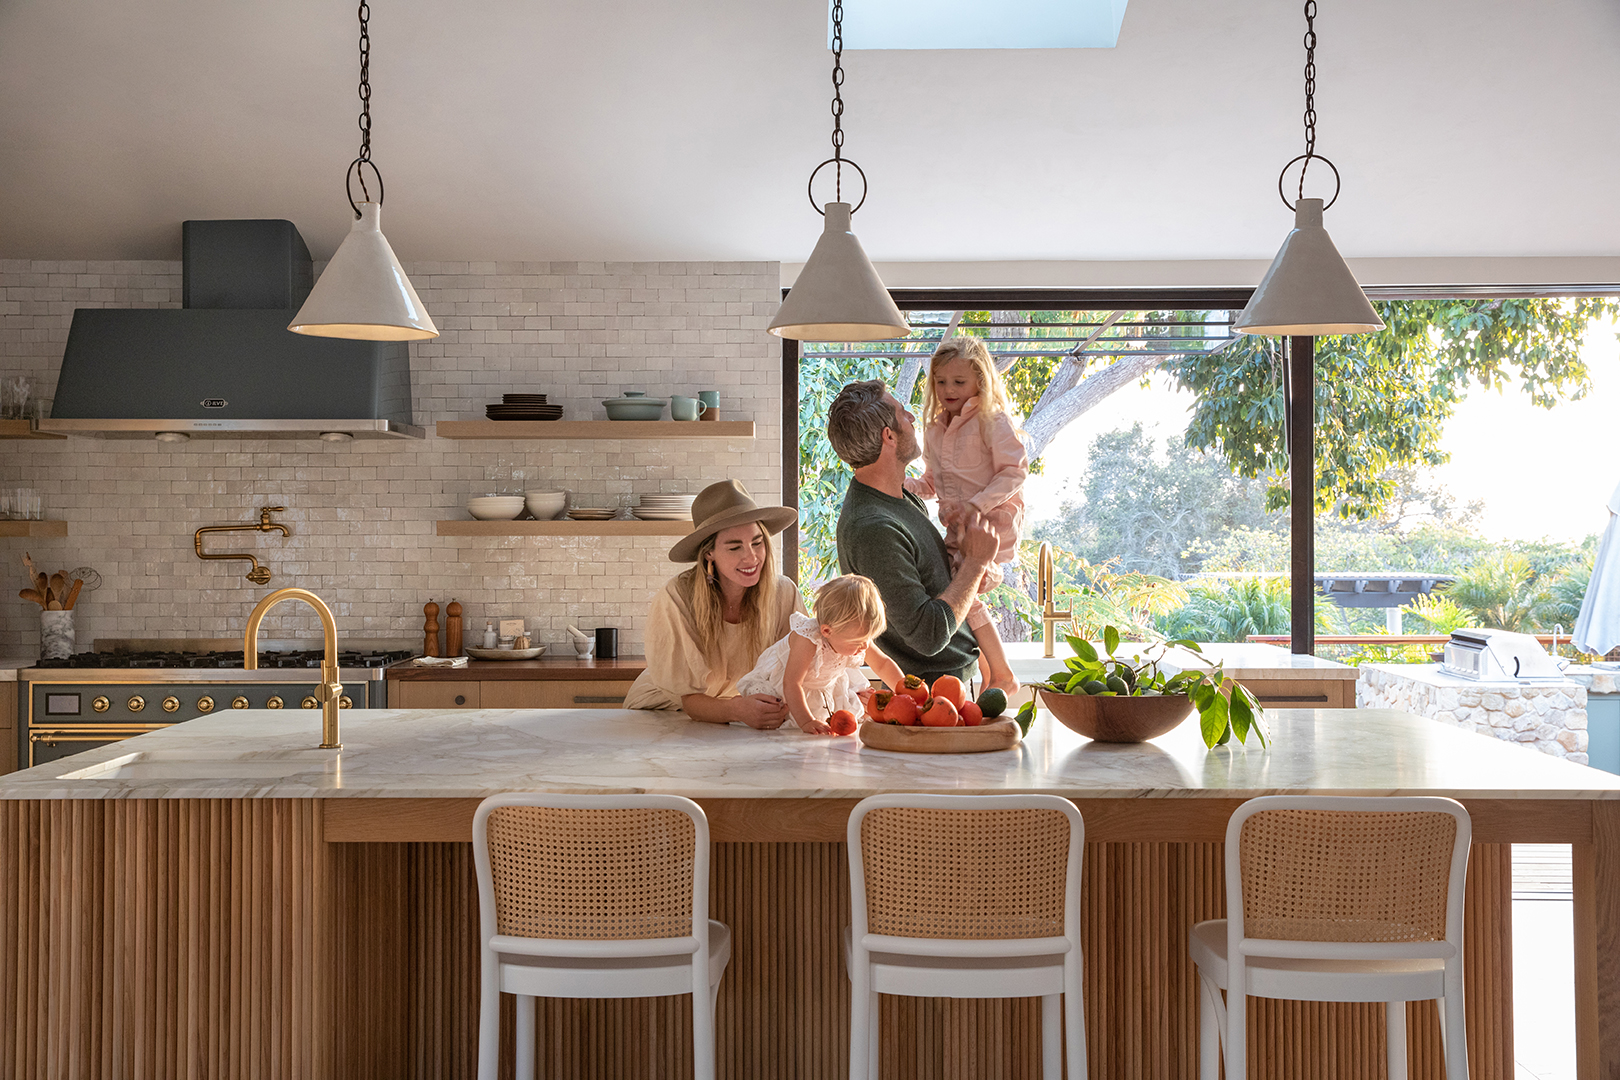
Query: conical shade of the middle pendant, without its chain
x=838, y=296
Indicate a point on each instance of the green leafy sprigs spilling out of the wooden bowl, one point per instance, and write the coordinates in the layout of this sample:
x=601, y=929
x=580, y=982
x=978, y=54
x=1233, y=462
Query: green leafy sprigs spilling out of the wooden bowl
x=1226, y=708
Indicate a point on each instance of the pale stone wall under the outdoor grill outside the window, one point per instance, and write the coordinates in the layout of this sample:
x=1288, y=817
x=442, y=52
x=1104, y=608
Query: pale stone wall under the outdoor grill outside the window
x=1550, y=718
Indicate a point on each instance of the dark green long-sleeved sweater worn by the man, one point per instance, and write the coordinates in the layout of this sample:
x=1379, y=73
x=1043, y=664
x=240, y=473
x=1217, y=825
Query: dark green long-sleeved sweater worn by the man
x=893, y=543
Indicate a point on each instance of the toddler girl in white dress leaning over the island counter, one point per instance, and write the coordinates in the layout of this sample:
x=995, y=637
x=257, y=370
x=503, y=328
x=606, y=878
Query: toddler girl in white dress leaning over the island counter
x=816, y=670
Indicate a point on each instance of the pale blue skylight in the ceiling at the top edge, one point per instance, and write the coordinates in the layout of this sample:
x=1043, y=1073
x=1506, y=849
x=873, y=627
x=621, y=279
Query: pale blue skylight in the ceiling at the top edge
x=981, y=23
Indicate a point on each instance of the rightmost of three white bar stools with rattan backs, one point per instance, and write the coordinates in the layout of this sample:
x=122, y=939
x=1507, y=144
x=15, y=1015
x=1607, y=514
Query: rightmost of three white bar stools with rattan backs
x=1337, y=899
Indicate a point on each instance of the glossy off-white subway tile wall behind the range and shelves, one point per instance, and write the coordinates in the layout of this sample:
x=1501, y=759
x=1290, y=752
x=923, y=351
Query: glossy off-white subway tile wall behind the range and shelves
x=364, y=514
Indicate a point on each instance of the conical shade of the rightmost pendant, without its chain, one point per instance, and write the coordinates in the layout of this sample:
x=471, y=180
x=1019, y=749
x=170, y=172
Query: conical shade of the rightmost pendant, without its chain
x=1310, y=289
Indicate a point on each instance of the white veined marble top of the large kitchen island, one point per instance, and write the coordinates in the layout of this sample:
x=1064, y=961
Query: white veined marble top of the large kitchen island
x=422, y=754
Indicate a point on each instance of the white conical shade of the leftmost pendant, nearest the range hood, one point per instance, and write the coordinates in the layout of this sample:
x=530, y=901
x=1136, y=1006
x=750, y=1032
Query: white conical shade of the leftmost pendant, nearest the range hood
x=364, y=292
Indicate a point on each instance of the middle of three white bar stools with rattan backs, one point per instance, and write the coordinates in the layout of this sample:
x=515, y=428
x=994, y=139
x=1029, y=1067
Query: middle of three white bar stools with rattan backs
x=968, y=896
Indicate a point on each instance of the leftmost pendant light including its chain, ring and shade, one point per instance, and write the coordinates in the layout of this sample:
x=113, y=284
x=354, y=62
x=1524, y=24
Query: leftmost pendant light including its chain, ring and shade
x=364, y=292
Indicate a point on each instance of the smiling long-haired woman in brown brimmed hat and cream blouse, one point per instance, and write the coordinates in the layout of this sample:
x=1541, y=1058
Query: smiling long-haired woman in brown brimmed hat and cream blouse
x=709, y=626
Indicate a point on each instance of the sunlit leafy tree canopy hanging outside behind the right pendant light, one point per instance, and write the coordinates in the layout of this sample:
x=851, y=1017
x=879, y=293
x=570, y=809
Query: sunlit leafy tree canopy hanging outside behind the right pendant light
x=1383, y=399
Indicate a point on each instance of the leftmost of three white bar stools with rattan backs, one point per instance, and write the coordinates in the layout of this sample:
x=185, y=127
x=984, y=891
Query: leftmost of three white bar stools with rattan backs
x=594, y=896
